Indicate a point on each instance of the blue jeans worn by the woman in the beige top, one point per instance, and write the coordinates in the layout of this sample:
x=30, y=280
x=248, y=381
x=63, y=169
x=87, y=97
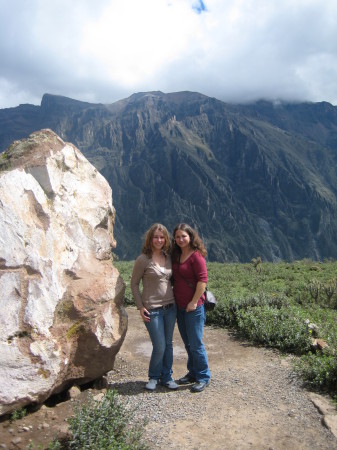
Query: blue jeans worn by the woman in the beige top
x=160, y=329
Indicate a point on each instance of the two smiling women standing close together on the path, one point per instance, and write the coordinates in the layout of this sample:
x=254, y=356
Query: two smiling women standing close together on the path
x=157, y=306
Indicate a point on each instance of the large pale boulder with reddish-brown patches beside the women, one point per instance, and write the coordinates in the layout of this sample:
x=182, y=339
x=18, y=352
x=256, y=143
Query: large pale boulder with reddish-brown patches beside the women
x=62, y=319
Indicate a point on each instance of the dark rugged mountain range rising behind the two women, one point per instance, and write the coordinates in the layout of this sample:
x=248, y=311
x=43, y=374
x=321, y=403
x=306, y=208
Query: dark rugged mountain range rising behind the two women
x=255, y=180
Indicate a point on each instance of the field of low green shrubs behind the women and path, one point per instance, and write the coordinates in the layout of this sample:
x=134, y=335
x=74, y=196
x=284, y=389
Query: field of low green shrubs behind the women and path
x=280, y=305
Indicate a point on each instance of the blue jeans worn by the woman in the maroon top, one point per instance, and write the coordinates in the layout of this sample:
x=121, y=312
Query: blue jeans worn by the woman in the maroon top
x=191, y=328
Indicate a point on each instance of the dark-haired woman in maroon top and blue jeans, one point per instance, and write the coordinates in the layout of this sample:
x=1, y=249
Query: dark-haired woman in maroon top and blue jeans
x=190, y=279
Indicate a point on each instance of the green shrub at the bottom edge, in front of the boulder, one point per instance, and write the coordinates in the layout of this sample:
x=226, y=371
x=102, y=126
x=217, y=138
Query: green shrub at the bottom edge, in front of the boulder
x=105, y=425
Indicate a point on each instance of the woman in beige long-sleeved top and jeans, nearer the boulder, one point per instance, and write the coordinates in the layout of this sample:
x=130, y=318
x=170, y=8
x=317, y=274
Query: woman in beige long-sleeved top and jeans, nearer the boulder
x=156, y=303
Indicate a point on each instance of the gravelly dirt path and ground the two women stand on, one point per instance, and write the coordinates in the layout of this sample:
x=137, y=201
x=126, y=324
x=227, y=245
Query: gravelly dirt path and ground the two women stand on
x=253, y=401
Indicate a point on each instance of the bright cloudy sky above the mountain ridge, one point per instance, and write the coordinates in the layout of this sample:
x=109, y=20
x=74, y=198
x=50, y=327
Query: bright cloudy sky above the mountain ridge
x=106, y=50
